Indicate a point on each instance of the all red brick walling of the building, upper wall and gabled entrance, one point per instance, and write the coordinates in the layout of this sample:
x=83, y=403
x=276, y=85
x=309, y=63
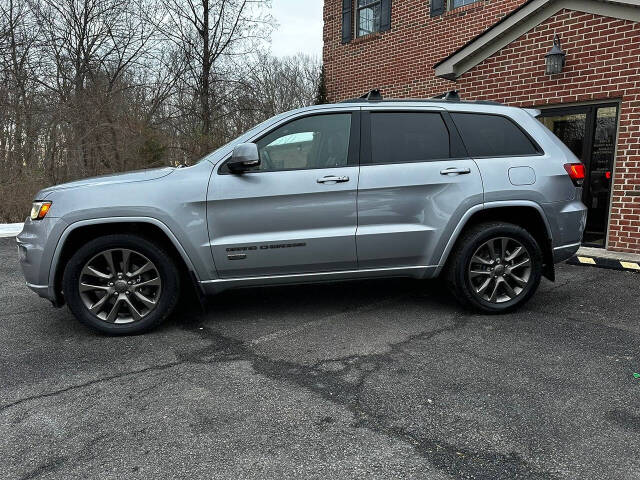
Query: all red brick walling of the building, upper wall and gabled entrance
x=603, y=62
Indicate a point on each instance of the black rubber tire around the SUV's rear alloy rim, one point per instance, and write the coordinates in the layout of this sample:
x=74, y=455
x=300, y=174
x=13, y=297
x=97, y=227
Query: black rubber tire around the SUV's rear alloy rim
x=459, y=264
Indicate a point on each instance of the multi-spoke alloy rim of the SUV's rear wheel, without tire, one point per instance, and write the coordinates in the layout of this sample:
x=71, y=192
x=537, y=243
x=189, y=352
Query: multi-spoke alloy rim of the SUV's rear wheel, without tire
x=499, y=270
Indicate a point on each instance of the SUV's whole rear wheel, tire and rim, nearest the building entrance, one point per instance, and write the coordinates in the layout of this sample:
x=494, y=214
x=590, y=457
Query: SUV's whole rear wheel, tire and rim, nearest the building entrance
x=496, y=267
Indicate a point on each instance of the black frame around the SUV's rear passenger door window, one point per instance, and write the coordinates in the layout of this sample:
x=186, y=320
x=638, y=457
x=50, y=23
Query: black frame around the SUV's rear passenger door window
x=457, y=150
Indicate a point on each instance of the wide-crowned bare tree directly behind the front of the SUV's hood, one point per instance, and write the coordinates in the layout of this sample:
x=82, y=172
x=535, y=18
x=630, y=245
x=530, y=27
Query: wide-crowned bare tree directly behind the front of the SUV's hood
x=87, y=47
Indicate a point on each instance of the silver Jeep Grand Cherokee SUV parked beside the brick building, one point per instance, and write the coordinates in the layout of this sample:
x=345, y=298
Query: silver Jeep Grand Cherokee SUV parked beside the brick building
x=477, y=192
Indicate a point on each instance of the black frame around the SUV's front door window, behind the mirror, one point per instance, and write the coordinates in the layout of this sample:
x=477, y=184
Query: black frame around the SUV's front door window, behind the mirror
x=353, y=151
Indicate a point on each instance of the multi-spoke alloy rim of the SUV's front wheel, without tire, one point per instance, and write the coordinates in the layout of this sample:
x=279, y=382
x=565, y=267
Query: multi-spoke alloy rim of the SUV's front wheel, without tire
x=120, y=286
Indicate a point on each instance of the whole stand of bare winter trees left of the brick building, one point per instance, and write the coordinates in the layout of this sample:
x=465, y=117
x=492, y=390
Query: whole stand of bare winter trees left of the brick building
x=95, y=86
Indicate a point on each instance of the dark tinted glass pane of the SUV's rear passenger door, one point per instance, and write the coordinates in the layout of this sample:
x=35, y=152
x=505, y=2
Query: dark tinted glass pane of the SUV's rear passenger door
x=408, y=137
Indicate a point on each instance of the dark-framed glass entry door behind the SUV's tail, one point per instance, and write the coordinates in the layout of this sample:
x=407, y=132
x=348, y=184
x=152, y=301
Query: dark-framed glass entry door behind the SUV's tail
x=590, y=133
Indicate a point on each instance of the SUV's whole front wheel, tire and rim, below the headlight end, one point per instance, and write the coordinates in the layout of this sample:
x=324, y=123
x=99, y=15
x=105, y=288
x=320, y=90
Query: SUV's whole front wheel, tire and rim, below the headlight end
x=121, y=284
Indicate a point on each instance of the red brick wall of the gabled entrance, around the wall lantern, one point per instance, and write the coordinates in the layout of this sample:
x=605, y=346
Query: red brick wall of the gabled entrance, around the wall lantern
x=603, y=62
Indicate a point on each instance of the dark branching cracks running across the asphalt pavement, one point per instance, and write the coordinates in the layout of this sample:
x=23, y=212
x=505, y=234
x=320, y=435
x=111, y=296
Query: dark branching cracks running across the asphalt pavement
x=334, y=385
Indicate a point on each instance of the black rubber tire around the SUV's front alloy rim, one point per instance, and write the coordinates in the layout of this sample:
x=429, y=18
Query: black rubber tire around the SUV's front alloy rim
x=164, y=266
